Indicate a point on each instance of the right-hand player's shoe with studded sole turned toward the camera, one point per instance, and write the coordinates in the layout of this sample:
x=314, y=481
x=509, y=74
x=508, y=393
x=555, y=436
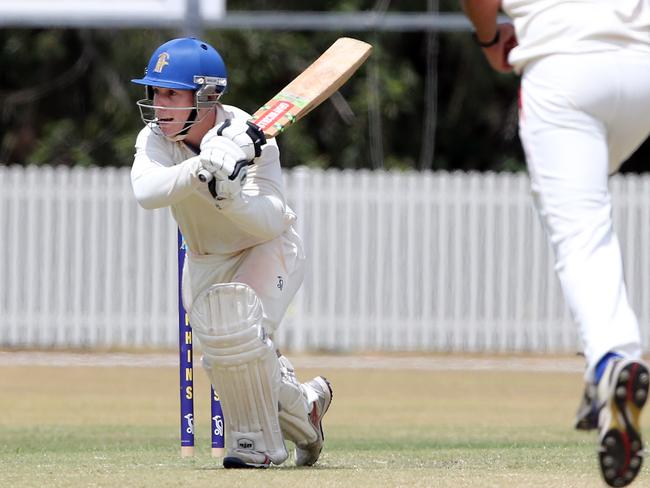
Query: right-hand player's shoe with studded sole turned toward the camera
x=622, y=393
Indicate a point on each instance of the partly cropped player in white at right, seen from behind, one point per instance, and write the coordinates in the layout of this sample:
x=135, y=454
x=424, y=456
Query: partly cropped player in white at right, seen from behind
x=584, y=109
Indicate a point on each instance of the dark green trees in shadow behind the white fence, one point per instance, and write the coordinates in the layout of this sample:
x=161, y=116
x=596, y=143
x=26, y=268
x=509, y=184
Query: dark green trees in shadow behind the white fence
x=66, y=95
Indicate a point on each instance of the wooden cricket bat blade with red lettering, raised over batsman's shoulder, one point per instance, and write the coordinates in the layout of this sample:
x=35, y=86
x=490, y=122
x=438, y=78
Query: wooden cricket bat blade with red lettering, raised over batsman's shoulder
x=314, y=85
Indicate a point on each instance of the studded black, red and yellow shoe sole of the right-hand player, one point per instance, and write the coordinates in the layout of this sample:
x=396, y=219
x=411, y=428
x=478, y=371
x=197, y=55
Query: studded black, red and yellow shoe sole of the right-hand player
x=621, y=451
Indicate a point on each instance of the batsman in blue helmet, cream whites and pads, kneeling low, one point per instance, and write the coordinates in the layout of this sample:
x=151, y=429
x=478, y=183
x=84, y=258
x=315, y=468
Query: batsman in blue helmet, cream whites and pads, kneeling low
x=223, y=183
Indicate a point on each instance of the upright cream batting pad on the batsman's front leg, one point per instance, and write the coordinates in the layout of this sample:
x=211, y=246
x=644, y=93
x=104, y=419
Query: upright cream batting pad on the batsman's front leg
x=242, y=366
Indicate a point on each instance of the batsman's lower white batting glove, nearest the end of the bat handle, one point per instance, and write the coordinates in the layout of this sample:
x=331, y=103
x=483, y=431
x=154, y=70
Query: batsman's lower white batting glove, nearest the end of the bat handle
x=223, y=167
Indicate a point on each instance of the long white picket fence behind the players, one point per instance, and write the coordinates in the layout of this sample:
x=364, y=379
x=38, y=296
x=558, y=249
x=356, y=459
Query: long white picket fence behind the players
x=397, y=261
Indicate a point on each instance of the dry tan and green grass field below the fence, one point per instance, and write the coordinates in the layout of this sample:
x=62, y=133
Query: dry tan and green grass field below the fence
x=87, y=426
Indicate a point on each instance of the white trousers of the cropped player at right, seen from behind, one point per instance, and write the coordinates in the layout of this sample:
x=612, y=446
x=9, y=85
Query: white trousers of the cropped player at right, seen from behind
x=581, y=116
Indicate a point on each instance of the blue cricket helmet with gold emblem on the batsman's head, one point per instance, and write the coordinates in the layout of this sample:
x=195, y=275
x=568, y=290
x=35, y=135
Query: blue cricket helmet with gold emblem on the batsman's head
x=186, y=64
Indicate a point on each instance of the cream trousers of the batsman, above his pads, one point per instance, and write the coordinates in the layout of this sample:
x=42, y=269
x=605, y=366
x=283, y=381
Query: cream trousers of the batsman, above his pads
x=274, y=269
